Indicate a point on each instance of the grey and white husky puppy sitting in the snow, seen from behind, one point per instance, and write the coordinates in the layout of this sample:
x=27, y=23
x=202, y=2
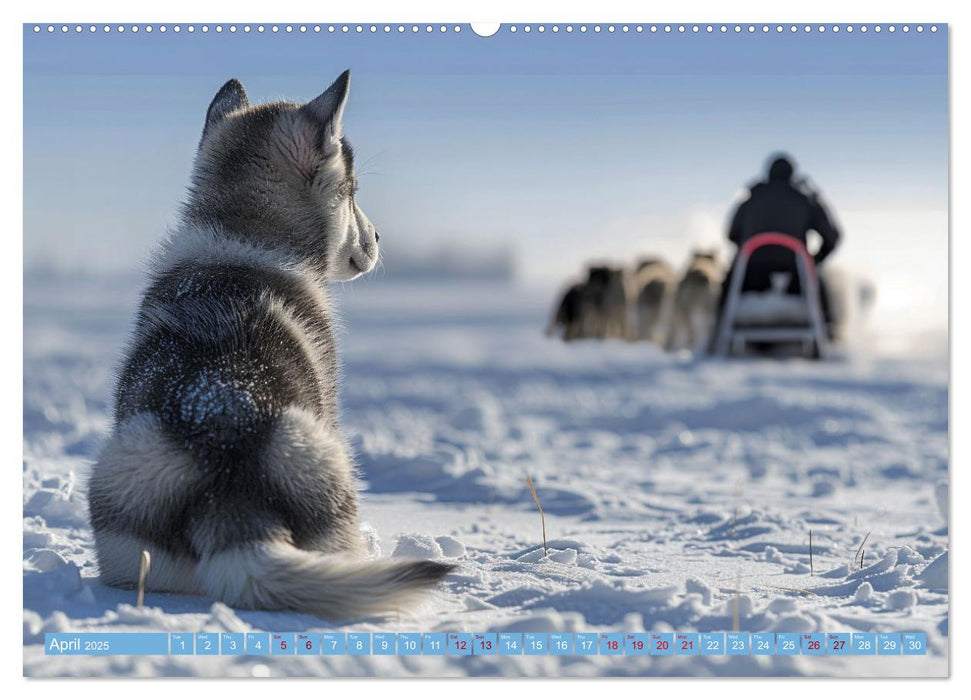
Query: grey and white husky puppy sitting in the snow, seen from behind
x=225, y=460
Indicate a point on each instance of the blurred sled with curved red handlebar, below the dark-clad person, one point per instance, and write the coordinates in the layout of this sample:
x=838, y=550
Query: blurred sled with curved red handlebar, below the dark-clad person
x=772, y=317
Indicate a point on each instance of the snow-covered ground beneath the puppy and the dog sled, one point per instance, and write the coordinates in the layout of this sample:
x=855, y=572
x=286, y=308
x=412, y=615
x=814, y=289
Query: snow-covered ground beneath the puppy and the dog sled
x=679, y=494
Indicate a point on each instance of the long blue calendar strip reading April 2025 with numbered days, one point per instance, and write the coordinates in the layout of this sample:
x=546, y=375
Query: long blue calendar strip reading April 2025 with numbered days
x=487, y=643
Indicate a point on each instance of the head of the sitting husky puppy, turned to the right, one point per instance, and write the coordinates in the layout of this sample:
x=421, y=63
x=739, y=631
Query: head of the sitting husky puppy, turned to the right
x=281, y=176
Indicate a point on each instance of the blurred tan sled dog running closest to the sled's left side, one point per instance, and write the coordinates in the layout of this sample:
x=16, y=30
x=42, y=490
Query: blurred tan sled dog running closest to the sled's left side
x=695, y=303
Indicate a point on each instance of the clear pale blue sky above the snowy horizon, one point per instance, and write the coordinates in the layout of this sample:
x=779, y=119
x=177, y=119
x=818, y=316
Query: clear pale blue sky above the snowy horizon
x=563, y=147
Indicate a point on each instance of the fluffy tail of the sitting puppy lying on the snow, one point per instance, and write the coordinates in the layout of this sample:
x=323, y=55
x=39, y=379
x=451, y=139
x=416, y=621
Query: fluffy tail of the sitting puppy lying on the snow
x=279, y=576
